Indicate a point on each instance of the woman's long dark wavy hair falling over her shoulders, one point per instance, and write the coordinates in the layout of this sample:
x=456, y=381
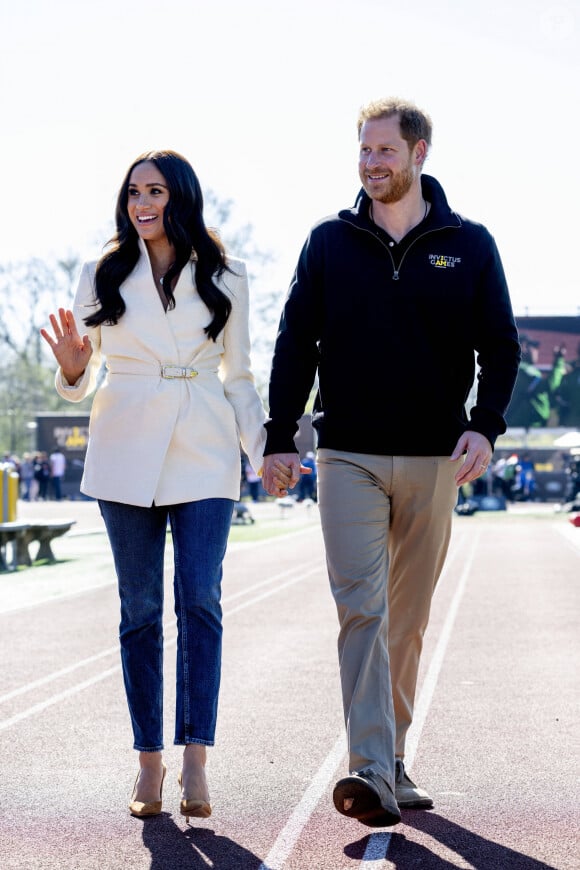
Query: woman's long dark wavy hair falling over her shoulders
x=187, y=232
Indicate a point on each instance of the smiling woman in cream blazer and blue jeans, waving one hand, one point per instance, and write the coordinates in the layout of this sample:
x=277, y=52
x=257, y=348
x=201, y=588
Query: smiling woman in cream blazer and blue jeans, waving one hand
x=167, y=313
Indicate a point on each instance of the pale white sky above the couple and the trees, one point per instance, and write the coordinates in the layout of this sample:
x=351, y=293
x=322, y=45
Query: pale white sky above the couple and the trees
x=262, y=98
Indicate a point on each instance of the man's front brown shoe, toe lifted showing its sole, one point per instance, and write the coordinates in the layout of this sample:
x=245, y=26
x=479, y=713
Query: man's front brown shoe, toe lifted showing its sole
x=366, y=796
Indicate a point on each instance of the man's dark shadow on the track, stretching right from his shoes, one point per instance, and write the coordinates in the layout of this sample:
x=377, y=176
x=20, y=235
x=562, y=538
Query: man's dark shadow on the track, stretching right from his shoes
x=482, y=854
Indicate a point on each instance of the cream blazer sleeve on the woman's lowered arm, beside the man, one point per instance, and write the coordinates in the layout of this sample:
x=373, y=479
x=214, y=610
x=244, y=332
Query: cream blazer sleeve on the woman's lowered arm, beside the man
x=235, y=368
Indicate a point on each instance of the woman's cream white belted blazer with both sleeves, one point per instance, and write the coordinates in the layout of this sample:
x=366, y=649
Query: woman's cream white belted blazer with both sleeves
x=158, y=439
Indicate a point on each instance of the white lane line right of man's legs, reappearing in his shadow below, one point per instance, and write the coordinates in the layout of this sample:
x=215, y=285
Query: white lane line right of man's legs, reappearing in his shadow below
x=378, y=844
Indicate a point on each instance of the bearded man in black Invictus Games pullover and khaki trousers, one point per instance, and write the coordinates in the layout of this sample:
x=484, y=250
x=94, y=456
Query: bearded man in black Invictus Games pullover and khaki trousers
x=391, y=302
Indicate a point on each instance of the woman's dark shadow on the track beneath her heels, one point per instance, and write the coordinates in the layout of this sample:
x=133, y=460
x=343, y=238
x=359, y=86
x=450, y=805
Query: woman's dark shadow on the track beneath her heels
x=173, y=848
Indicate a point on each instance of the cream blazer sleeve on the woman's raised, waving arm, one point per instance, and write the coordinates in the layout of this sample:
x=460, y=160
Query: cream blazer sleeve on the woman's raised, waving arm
x=84, y=305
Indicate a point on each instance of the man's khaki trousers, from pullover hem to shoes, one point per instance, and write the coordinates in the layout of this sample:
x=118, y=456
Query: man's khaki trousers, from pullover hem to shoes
x=386, y=522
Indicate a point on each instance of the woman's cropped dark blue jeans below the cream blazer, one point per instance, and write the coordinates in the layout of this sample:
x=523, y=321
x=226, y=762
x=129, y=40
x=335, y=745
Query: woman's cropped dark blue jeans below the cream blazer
x=137, y=535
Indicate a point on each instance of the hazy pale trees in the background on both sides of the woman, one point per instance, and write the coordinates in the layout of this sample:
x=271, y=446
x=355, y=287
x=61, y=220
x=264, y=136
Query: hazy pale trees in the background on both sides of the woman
x=31, y=290
